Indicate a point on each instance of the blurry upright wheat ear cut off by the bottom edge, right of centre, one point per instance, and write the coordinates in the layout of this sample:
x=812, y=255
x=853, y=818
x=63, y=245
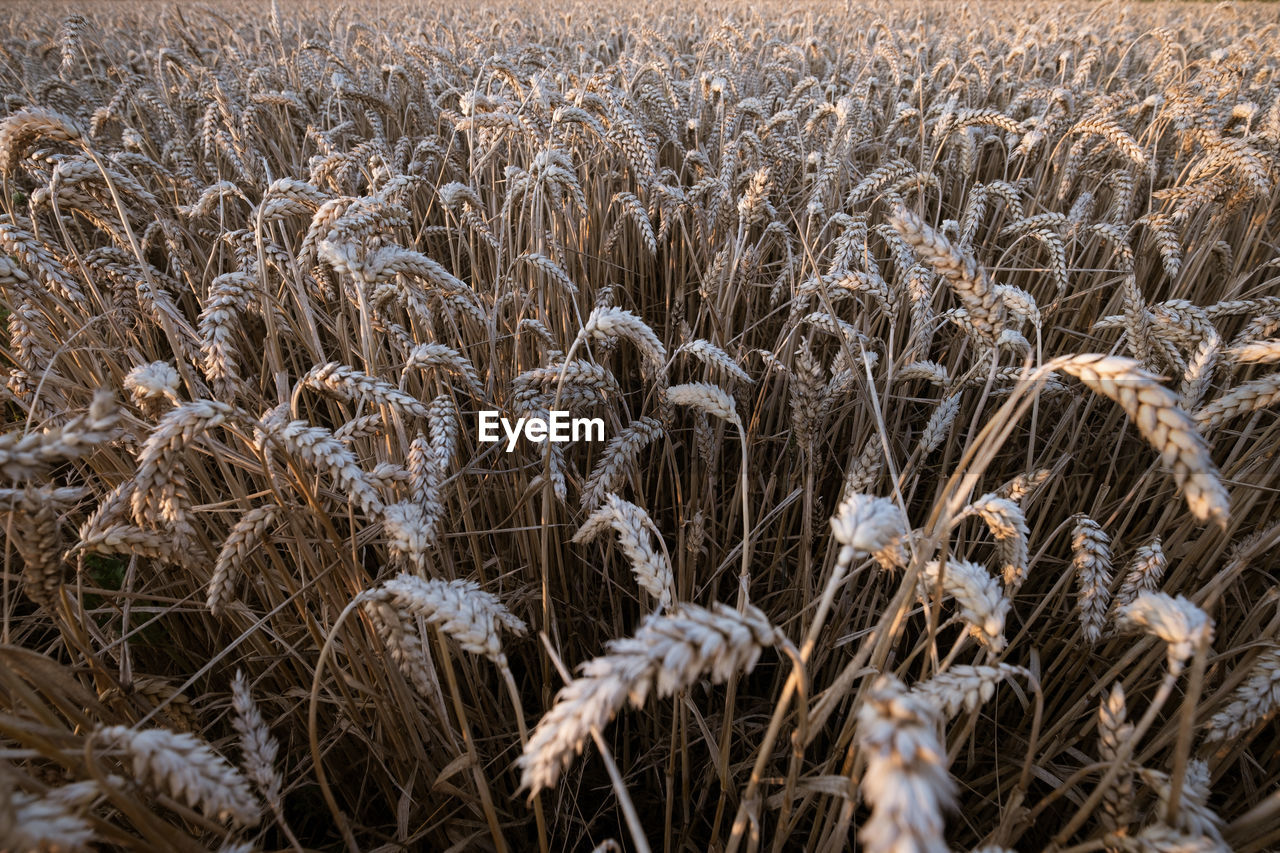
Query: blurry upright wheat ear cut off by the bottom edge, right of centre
x=907, y=781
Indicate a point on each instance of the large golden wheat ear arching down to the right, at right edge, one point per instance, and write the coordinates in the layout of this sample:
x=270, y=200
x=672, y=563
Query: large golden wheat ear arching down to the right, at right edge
x=1154, y=409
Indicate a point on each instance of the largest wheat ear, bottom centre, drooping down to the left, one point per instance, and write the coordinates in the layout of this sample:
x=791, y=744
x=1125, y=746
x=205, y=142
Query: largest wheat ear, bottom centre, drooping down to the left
x=670, y=653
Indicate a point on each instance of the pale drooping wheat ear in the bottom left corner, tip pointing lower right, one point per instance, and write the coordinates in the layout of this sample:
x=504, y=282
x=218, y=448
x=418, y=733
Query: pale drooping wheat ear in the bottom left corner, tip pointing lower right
x=188, y=769
